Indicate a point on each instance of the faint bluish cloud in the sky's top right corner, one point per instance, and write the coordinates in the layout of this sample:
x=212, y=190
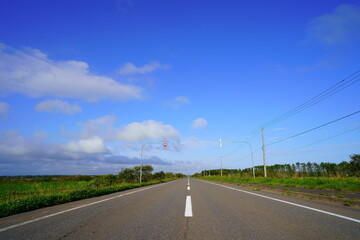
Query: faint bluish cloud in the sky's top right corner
x=340, y=26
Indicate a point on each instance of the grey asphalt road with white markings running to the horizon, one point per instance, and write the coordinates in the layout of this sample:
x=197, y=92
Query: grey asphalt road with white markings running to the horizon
x=165, y=211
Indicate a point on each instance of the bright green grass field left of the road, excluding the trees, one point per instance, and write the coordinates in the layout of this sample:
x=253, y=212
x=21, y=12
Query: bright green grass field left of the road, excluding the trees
x=20, y=196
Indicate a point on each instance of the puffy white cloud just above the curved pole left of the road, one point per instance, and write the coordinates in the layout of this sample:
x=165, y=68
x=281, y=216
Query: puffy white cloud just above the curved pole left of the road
x=149, y=129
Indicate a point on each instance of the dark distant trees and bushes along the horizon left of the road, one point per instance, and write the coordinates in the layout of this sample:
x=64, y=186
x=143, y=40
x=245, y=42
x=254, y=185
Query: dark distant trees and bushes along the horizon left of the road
x=126, y=175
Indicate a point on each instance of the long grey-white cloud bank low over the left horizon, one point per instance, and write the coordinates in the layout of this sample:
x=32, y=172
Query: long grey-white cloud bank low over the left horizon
x=22, y=155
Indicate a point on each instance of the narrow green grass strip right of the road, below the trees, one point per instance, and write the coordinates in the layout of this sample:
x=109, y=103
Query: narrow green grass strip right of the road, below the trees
x=351, y=184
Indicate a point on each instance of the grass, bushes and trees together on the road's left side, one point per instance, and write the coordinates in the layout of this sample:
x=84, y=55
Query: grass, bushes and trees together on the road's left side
x=24, y=193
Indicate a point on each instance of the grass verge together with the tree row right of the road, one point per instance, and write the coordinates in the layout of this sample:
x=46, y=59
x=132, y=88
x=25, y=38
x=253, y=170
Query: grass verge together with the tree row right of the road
x=344, y=176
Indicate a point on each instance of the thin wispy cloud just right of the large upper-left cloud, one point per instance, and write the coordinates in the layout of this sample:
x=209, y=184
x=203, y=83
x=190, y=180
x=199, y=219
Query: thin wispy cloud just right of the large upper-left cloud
x=130, y=68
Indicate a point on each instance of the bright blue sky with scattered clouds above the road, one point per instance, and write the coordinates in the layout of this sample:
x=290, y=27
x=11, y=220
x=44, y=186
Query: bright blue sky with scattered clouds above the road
x=83, y=84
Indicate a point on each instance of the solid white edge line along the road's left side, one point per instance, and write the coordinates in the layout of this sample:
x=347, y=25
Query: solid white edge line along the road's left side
x=75, y=208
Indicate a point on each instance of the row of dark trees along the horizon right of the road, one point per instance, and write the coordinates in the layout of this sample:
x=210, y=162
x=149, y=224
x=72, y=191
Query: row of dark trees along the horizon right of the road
x=323, y=169
